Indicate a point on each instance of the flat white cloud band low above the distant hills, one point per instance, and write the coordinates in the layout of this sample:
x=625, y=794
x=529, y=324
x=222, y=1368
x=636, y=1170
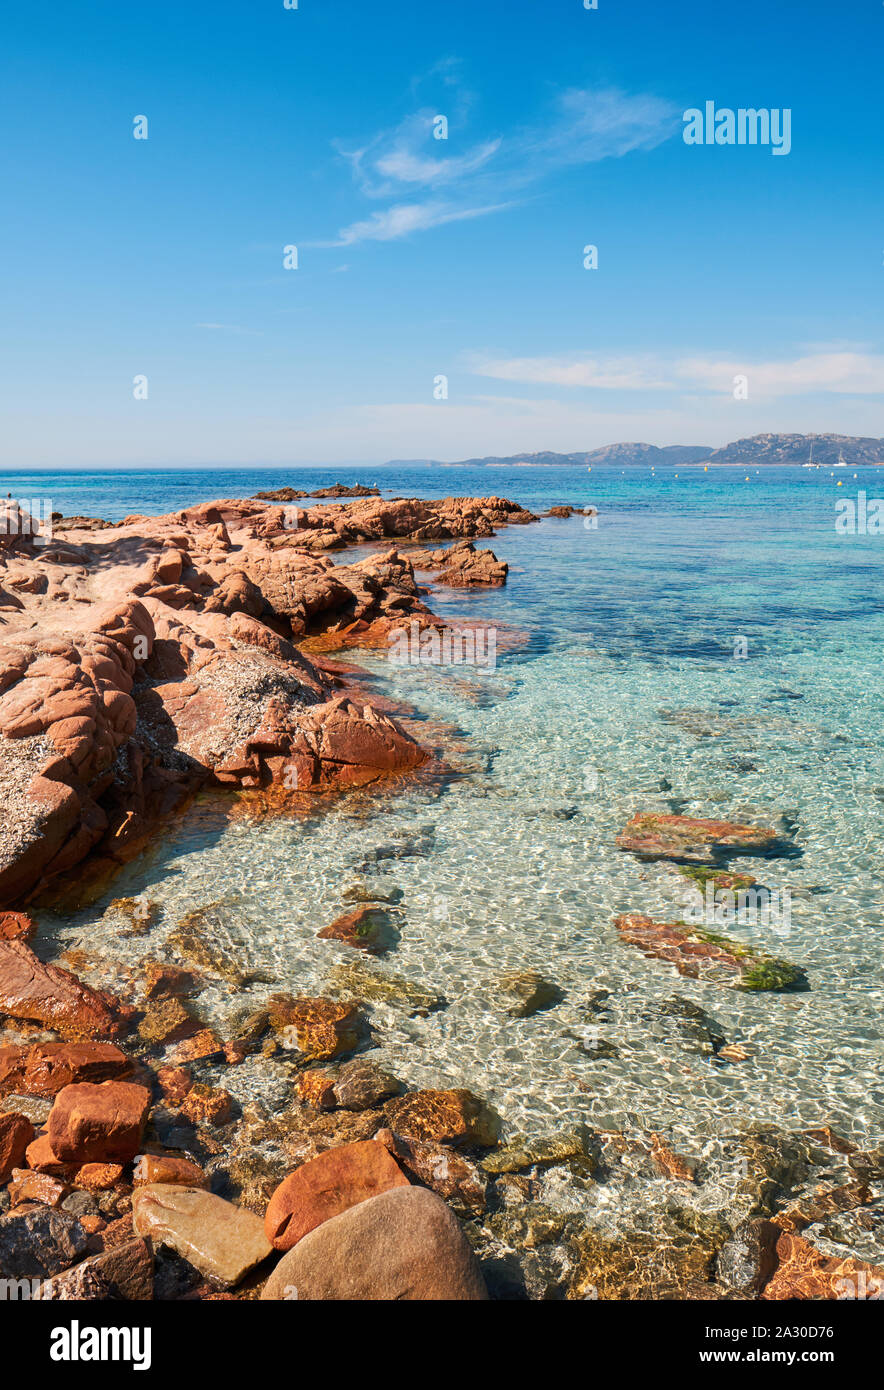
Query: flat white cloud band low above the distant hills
x=840, y=373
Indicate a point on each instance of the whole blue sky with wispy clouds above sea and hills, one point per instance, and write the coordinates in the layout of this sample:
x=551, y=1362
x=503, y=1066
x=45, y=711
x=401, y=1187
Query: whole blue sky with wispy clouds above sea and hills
x=422, y=258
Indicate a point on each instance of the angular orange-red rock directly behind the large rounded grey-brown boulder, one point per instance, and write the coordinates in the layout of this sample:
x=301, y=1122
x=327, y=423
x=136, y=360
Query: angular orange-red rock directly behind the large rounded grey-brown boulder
x=327, y=1186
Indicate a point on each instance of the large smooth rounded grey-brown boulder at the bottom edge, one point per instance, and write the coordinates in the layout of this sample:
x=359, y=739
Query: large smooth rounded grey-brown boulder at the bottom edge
x=404, y=1246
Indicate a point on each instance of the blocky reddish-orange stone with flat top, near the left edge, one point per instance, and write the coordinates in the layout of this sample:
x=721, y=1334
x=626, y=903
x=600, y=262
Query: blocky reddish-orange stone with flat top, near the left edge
x=99, y=1124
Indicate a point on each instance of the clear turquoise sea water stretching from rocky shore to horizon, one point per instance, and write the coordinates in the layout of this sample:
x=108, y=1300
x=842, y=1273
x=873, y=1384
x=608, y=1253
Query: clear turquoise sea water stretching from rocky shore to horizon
x=626, y=697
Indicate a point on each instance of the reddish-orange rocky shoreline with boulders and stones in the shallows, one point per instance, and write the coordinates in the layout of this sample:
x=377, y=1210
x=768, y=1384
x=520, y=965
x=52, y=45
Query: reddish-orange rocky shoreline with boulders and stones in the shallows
x=147, y=661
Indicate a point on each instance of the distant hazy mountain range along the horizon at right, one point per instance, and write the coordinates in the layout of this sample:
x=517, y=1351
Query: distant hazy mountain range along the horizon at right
x=768, y=450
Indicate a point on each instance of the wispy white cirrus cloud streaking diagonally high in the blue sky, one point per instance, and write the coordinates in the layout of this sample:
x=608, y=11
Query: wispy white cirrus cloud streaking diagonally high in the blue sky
x=583, y=127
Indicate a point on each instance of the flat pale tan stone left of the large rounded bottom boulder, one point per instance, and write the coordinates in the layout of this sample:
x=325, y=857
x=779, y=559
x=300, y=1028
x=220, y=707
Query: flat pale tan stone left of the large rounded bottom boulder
x=222, y=1241
